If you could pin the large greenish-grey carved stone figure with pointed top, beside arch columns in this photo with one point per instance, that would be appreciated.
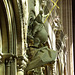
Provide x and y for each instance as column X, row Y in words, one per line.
column 39, row 53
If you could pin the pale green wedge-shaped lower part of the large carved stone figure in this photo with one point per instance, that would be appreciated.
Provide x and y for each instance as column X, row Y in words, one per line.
column 42, row 56
